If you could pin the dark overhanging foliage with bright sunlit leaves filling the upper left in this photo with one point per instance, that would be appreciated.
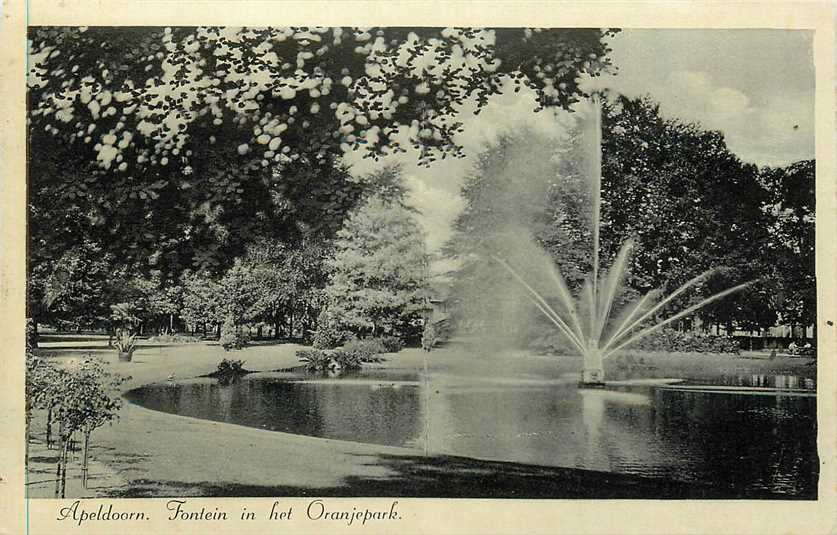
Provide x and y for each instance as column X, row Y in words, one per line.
column 210, row 136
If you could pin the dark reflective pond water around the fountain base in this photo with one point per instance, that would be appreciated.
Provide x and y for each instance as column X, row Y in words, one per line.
column 744, row 442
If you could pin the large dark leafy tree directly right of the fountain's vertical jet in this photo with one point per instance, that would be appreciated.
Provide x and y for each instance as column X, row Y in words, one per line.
column 689, row 203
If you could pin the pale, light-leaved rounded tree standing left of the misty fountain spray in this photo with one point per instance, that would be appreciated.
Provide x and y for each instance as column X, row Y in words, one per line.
column 379, row 271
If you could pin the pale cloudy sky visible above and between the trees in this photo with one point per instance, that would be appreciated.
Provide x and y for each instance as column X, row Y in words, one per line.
column 755, row 86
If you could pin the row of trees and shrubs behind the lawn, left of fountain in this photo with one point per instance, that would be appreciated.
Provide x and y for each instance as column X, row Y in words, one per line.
column 371, row 274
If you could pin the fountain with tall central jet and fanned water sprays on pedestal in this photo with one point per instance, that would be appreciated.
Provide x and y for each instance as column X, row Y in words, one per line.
column 590, row 333
